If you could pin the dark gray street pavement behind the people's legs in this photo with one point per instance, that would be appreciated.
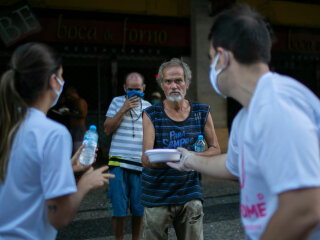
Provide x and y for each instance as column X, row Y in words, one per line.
column 221, row 219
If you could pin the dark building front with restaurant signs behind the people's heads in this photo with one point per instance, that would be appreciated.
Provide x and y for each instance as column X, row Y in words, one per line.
column 101, row 41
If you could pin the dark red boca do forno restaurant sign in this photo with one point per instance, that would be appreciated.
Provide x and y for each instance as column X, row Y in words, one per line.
column 122, row 33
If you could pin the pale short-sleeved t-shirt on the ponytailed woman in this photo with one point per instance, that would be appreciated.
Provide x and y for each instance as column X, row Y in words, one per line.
column 39, row 169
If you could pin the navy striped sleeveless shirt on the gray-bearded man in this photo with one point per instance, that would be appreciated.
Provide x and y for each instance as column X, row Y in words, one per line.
column 165, row 186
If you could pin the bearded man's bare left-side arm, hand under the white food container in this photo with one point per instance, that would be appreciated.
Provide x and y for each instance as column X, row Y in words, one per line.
column 148, row 143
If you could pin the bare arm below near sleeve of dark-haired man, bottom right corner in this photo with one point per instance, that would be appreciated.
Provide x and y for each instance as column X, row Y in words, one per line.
column 297, row 215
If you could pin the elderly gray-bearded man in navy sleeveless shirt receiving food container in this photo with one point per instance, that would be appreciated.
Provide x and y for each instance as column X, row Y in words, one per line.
column 170, row 196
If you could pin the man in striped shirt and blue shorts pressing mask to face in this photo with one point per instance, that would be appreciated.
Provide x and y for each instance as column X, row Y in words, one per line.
column 124, row 121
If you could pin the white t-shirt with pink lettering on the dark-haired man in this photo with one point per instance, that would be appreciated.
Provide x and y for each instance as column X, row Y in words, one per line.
column 274, row 147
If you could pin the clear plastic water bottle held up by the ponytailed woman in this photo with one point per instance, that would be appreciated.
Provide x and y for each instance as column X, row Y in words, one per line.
column 91, row 141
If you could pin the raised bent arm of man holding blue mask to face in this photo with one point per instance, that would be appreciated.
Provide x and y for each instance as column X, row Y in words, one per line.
column 112, row 124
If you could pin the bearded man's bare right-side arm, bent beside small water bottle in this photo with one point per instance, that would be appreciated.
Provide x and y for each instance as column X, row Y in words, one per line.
column 211, row 139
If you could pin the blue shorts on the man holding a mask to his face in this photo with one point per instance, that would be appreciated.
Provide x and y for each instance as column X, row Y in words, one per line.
column 124, row 187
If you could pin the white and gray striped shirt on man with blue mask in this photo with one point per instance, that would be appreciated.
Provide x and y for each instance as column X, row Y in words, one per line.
column 126, row 144
